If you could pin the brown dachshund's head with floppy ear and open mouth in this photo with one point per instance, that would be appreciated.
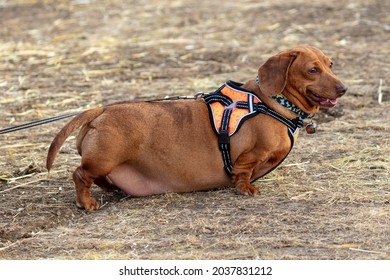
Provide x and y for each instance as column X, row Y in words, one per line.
column 304, row 75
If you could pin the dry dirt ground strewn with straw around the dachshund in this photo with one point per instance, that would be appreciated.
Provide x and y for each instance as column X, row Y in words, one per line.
column 329, row 200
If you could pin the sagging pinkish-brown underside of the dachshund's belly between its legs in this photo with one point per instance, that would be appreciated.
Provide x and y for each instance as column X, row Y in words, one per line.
column 136, row 183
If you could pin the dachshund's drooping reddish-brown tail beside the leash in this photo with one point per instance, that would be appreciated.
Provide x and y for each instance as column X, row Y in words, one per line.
column 75, row 123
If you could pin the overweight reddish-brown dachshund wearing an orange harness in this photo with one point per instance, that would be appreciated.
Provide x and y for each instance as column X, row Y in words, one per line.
column 230, row 137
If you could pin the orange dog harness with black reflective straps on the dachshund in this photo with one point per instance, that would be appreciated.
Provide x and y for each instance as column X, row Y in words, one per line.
column 229, row 107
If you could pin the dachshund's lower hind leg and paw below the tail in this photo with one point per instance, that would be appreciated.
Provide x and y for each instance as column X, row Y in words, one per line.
column 83, row 183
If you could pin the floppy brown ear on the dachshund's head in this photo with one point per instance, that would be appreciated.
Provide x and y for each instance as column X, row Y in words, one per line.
column 274, row 72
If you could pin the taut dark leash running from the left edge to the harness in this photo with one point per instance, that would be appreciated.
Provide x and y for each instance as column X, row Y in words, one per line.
column 57, row 118
